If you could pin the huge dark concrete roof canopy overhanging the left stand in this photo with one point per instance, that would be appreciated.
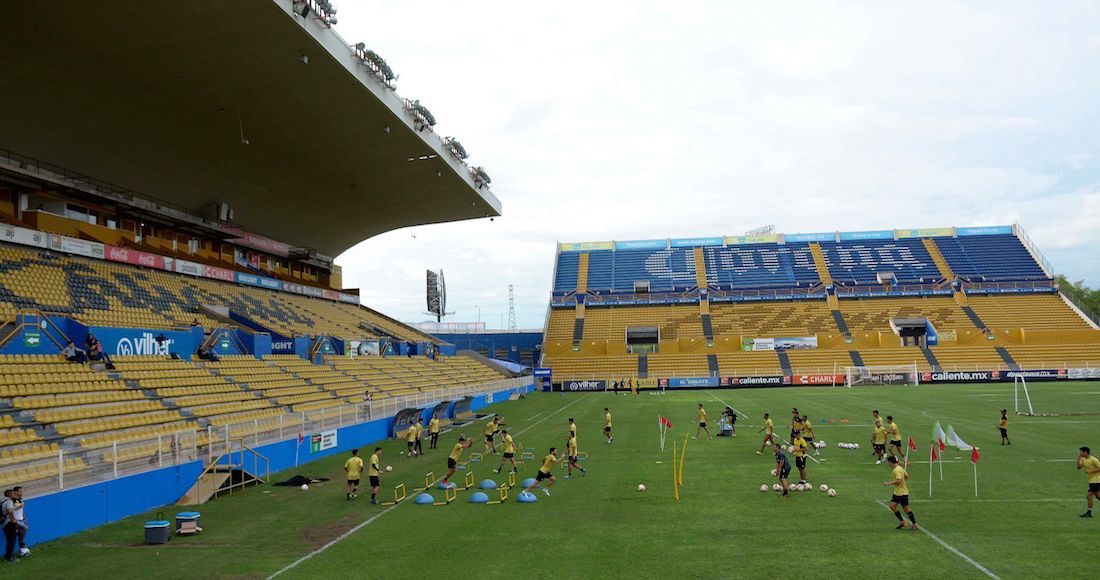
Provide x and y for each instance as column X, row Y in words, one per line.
column 195, row 103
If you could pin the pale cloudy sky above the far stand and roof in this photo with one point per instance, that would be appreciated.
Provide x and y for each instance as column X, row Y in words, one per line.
column 644, row 121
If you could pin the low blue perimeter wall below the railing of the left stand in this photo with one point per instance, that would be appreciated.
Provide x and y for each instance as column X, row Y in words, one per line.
column 73, row 511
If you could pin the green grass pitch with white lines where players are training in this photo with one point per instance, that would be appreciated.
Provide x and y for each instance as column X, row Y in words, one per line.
column 1025, row 526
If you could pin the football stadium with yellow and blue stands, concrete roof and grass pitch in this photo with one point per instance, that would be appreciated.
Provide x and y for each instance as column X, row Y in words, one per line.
column 190, row 388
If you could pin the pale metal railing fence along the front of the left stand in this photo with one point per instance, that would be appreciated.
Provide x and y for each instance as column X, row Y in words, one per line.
column 109, row 459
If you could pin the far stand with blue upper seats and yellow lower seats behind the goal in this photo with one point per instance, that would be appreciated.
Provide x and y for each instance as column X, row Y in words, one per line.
column 985, row 296
